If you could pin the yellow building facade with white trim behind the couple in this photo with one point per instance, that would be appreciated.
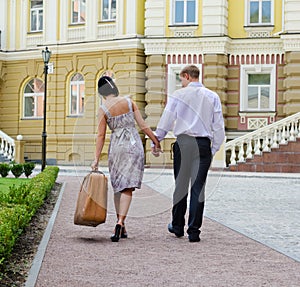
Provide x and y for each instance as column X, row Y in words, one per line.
column 248, row 51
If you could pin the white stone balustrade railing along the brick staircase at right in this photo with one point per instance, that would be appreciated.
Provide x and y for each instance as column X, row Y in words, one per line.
column 263, row 139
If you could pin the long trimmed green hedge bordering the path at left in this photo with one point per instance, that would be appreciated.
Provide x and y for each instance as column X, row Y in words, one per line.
column 19, row 205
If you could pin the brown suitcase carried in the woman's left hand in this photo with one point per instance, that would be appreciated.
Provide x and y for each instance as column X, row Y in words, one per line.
column 91, row 207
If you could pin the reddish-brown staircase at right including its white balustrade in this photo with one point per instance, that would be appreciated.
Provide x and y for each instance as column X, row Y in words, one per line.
column 274, row 148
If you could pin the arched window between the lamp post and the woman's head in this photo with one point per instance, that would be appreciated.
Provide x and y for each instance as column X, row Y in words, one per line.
column 77, row 95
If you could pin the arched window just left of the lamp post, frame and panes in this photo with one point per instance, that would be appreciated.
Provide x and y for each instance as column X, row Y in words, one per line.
column 33, row 99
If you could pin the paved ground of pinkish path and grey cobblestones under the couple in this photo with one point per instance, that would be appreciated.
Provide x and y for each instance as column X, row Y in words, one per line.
column 250, row 236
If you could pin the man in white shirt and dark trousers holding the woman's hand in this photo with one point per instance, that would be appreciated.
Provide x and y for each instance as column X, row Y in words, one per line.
column 195, row 115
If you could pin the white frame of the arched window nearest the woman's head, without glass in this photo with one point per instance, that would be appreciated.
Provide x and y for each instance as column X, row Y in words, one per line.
column 78, row 84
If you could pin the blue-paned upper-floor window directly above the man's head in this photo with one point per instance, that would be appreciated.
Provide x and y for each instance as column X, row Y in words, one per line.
column 184, row 12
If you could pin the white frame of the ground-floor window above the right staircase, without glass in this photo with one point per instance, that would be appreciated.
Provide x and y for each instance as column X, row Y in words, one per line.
column 257, row 69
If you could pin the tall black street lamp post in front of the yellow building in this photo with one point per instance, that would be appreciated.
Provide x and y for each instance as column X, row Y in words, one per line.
column 46, row 57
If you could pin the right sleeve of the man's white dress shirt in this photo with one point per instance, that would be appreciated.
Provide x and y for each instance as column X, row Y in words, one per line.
column 217, row 126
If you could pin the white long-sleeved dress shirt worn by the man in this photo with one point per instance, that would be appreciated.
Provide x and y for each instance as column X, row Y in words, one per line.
column 195, row 111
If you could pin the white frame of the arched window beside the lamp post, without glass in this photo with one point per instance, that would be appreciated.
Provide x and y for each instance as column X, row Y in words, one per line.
column 36, row 96
